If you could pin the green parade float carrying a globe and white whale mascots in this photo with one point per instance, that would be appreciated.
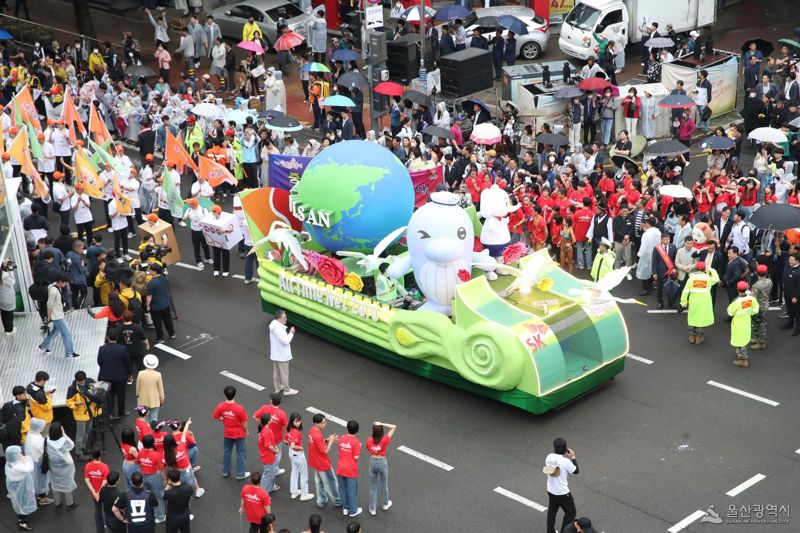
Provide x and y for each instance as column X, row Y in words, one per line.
column 347, row 256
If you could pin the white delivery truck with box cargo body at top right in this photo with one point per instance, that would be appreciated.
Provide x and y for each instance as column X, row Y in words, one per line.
column 621, row 21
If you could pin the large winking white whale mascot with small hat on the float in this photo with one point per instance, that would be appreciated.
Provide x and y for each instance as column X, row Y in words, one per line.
column 440, row 241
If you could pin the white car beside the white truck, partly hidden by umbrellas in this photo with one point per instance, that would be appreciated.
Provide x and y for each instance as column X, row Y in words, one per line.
column 529, row 46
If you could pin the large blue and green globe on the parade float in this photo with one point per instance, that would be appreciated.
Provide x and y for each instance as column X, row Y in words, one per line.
column 352, row 195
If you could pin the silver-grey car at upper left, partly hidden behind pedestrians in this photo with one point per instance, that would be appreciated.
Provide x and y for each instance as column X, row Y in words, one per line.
column 266, row 13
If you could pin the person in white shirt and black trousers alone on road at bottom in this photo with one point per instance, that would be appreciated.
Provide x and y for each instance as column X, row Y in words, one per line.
column 558, row 465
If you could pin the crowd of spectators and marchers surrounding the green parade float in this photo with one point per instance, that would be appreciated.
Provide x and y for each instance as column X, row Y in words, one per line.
column 589, row 214
